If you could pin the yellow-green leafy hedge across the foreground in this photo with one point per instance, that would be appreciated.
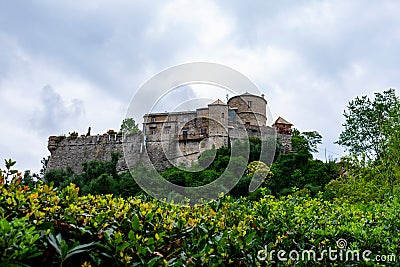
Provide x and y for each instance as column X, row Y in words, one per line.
column 48, row 227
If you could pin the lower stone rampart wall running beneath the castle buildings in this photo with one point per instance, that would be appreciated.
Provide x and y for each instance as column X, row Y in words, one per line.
column 73, row 151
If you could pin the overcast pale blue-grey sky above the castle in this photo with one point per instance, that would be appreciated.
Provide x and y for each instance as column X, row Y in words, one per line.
column 68, row 65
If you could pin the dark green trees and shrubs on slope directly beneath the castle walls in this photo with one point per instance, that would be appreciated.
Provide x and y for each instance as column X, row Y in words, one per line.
column 295, row 169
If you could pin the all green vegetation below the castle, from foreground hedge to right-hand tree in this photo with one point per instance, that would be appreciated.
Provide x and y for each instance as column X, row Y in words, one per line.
column 101, row 217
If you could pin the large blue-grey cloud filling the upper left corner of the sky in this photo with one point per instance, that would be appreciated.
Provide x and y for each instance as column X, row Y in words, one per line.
column 103, row 43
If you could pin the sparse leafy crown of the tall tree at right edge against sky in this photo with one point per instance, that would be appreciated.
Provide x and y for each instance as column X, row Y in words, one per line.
column 370, row 123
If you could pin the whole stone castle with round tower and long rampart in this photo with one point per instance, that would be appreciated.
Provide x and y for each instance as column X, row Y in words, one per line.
column 174, row 137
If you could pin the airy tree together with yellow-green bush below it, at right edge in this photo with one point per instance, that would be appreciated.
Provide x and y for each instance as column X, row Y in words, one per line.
column 372, row 135
